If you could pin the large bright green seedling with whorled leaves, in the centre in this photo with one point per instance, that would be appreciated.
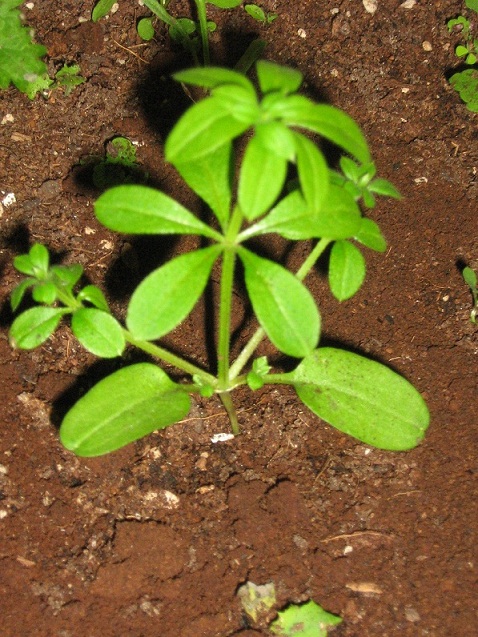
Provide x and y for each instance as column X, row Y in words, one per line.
column 358, row 396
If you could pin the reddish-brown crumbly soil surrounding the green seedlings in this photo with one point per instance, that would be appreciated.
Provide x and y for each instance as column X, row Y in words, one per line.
column 155, row 540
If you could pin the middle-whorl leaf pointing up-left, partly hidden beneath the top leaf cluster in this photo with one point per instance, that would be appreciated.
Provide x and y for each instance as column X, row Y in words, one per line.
column 210, row 177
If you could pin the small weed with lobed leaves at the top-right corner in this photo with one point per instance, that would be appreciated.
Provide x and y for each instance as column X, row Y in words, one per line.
column 466, row 81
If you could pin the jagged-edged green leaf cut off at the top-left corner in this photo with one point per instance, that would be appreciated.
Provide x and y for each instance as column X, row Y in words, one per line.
column 20, row 58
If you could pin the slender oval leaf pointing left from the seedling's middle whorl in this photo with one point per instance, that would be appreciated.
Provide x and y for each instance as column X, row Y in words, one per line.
column 142, row 210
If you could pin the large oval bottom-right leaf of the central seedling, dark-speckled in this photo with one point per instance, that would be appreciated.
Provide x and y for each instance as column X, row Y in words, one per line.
column 362, row 398
